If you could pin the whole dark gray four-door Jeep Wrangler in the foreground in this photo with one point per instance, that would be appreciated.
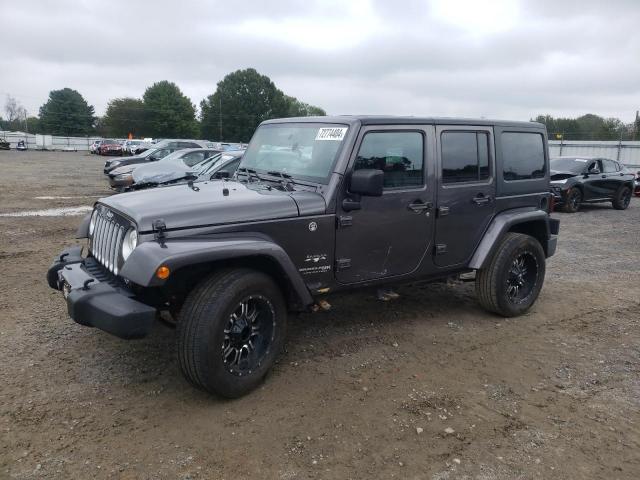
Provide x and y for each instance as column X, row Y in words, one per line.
column 318, row 205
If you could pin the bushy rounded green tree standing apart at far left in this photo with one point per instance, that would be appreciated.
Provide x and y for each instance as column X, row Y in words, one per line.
column 66, row 113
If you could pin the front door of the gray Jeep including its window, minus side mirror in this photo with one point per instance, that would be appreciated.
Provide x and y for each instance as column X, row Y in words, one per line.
column 389, row 235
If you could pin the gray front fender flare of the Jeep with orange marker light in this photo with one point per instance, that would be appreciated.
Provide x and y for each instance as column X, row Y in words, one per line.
column 141, row 266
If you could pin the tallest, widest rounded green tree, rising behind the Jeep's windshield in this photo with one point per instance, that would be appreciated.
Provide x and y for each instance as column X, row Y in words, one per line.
column 242, row 100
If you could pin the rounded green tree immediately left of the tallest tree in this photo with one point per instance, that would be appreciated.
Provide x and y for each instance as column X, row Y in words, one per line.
column 168, row 112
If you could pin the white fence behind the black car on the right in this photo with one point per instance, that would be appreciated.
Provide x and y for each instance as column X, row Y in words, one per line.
column 626, row 152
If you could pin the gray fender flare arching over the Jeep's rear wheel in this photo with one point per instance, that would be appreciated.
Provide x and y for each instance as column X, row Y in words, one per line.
column 501, row 224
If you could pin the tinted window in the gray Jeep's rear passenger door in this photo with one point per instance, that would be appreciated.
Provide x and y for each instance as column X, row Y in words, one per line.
column 465, row 156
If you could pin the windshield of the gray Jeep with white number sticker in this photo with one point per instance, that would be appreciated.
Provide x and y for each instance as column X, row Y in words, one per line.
column 303, row 150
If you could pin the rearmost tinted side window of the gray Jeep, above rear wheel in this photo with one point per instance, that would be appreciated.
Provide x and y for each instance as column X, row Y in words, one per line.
column 523, row 156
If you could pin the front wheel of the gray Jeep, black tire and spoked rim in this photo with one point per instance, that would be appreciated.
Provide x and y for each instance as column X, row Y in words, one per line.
column 204, row 332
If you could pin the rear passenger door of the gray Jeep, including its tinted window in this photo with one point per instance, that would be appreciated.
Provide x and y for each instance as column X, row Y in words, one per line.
column 466, row 191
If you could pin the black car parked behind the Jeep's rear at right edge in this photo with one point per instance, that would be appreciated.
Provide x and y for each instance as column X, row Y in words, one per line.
column 577, row 180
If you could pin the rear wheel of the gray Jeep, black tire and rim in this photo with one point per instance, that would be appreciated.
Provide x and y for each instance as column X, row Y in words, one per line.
column 511, row 283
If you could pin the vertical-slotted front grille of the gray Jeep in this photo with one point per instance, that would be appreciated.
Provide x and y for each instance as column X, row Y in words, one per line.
column 106, row 241
